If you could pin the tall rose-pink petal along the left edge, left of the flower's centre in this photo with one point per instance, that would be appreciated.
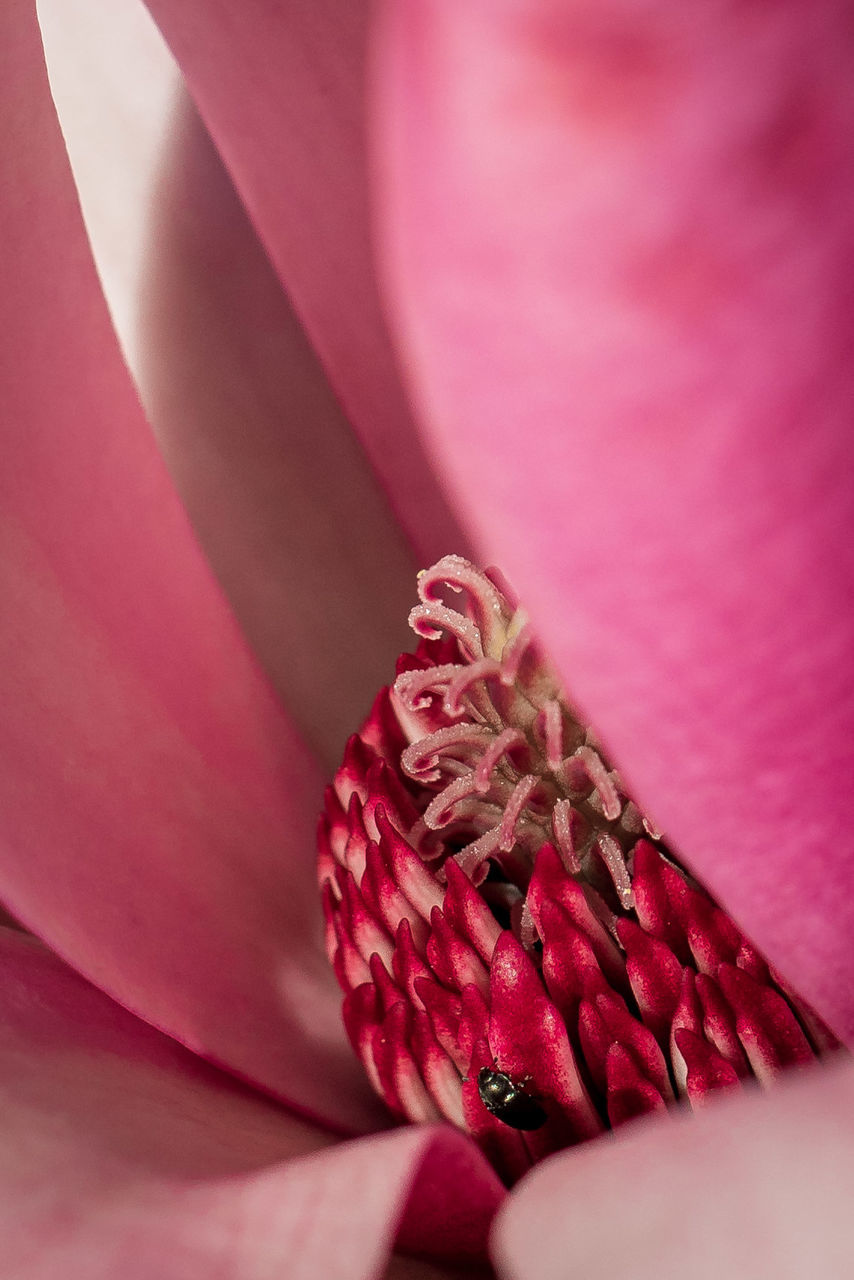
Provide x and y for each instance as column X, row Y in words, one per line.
column 157, row 808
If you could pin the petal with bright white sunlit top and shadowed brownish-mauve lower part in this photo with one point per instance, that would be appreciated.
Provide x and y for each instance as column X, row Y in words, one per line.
column 286, row 506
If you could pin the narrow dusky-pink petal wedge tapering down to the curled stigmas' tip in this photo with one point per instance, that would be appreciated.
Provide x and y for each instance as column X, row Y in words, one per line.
column 281, row 89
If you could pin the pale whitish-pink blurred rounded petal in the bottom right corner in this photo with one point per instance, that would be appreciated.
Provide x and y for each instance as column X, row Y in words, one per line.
column 716, row 1195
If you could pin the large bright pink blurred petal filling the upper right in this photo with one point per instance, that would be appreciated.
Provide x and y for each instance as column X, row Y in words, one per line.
column 619, row 245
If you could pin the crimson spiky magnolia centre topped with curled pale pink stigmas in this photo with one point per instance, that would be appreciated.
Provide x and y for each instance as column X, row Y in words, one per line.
column 495, row 900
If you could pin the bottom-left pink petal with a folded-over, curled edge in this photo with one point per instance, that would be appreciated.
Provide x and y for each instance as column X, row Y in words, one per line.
column 125, row 1156
